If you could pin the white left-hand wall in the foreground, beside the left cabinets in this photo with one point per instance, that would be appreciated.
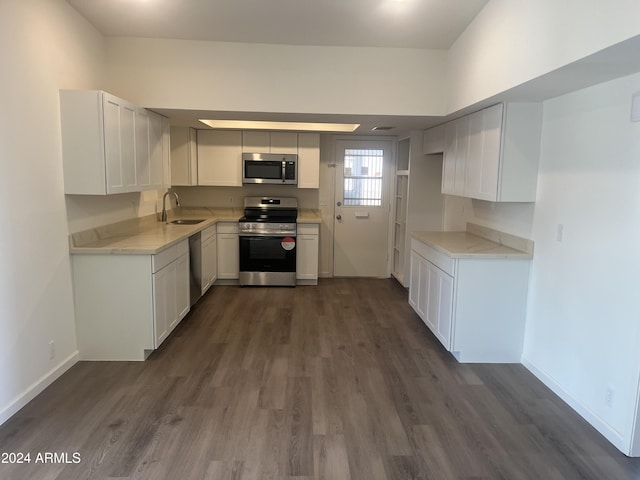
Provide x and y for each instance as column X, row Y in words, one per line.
column 44, row 46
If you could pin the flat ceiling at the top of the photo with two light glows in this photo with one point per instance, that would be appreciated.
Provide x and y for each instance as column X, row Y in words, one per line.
column 365, row 23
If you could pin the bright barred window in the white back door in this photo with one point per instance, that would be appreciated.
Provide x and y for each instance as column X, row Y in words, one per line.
column 363, row 177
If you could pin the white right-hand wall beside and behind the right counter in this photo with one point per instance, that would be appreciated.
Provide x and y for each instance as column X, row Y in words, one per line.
column 583, row 321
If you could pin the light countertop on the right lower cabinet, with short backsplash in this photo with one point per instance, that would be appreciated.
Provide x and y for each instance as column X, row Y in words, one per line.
column 477, row 242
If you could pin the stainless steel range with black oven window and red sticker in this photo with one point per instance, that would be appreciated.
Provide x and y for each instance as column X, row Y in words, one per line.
column 268, row 241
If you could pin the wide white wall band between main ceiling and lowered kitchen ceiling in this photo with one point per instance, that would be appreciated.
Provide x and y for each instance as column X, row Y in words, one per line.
column 277, row 78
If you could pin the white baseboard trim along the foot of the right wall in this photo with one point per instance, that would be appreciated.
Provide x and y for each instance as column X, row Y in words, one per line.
column 585, row 412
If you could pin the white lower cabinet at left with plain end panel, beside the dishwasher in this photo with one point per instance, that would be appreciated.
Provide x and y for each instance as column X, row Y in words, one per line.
column 127, row 305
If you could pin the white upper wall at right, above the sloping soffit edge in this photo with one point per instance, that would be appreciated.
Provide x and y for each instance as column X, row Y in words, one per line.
column 511, row 42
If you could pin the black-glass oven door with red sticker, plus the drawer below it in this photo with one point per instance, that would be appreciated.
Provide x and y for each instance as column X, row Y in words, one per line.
column 267, row 260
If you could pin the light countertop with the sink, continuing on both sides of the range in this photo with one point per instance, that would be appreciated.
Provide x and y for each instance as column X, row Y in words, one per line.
column 147, row 235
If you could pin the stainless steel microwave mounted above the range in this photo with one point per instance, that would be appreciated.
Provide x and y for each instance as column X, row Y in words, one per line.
column 274, row 168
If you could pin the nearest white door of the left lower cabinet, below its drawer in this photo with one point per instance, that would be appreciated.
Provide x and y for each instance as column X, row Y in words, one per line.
column 164, row 302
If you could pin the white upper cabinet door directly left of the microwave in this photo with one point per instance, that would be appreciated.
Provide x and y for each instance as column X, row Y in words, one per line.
column 220, row 158
